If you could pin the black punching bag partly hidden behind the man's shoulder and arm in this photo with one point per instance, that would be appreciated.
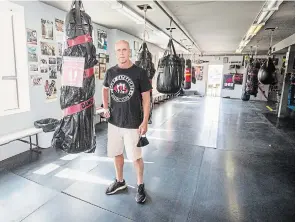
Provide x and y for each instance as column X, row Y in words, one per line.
column 144, row 61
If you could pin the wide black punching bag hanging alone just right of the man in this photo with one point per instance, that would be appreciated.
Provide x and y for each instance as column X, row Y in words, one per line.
column 168, row 71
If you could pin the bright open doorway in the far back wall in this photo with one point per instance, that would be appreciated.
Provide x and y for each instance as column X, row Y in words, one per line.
column 214, row 80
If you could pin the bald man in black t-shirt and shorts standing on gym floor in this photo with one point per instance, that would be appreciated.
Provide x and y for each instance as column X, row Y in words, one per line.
column 129, row 88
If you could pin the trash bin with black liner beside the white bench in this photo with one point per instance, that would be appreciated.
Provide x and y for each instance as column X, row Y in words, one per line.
column 48, row 126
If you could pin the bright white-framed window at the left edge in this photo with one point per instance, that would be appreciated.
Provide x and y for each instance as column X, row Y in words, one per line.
column 14, row 82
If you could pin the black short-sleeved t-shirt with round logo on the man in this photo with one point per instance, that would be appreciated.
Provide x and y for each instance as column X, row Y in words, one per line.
column 126, row 86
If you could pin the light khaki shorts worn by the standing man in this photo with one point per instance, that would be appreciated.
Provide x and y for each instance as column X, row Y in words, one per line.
column 120, row 138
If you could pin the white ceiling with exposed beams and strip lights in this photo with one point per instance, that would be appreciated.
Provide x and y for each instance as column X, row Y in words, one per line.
column 216, row 26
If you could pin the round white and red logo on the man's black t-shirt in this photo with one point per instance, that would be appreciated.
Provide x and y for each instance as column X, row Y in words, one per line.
column 122, row 88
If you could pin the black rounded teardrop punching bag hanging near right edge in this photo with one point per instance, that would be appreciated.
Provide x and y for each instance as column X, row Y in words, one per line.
column 266, row 72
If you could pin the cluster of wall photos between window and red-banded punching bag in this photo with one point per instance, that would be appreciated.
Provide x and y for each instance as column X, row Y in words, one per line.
column 45, row 55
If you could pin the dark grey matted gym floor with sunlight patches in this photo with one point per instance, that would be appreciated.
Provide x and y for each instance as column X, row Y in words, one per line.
column 208, row 160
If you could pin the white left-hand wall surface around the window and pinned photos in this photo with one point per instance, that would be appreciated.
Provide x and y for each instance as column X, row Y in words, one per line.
column 34, row 11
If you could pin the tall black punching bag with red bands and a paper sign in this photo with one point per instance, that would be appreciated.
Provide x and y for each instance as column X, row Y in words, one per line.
column 76, row 132
